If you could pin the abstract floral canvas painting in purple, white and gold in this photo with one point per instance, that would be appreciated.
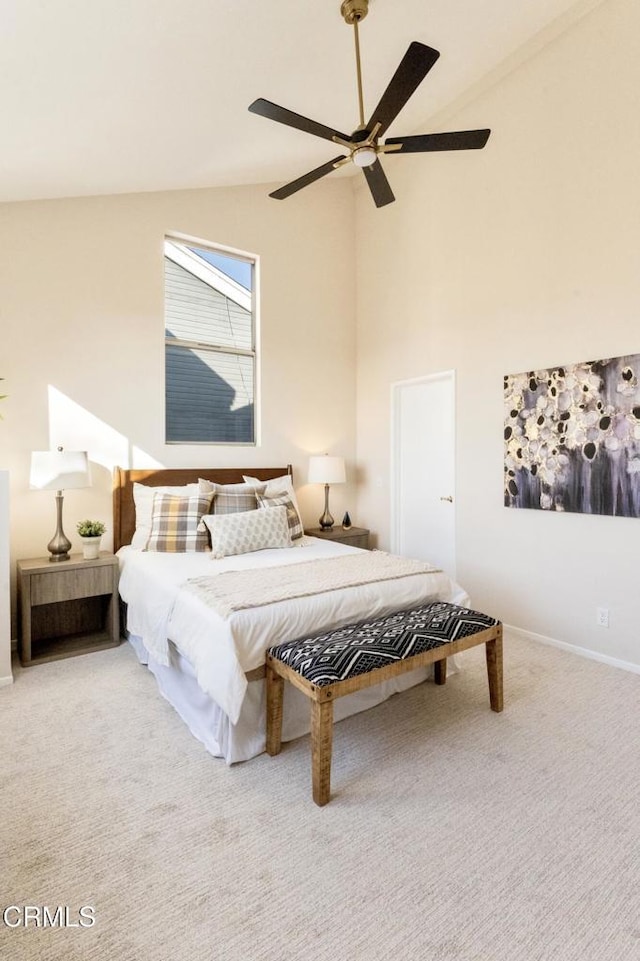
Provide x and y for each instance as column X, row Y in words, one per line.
column 572, row 438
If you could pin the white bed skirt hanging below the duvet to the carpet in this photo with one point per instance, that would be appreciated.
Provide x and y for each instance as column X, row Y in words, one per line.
column 246, row 739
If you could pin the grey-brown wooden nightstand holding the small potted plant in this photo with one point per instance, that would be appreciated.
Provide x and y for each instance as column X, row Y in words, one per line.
column 67, row 608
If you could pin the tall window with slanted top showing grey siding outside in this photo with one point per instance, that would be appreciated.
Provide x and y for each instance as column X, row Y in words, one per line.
column 210, row 345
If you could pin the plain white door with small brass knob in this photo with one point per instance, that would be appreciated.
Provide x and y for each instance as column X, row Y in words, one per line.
column 423, row 470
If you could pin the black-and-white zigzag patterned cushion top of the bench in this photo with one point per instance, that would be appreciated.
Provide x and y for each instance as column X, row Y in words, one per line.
column 355, row 649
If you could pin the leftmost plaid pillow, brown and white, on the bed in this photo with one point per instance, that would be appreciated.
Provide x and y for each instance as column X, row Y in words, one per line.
column 176, row 523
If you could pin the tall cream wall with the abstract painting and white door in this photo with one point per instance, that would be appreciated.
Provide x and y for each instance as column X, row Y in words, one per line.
column 524, row 255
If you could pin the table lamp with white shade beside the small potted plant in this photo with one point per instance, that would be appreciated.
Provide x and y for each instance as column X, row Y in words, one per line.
column 59, row 470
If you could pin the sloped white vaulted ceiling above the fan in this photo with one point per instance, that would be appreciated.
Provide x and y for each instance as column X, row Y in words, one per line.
column 100, row 97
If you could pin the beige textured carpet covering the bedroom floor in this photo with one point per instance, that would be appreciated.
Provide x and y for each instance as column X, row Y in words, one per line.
column 454, row 834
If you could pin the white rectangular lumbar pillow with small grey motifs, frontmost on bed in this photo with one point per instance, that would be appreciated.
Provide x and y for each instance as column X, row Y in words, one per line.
column 248, row 531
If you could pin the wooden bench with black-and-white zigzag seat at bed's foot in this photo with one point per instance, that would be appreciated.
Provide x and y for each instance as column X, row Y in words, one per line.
column 329, row 665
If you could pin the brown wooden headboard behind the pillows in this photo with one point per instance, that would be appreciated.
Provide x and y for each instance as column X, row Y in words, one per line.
column 124, row 512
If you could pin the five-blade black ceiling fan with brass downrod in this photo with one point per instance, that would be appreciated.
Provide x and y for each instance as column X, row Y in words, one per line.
column 363, row 144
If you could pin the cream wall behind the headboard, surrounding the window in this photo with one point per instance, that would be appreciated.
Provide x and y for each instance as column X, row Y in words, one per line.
column 81, row 315
